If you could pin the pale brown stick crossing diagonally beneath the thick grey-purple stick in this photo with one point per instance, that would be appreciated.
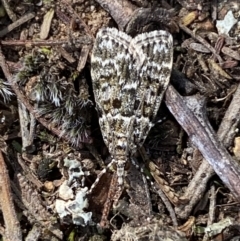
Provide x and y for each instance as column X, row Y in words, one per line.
column 226, row 134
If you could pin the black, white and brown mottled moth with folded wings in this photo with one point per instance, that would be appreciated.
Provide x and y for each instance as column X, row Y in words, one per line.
column 130, row 76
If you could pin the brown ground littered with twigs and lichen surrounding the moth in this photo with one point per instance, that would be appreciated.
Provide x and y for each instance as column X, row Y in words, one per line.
column 52, row 148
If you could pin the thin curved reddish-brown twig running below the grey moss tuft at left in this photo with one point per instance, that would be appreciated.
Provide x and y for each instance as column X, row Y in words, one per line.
column 24, row 101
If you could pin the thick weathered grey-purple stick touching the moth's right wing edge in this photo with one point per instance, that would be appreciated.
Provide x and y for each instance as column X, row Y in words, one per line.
column 202, row 136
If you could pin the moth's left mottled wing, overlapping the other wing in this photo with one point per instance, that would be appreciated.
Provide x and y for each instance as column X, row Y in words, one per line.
column 115, row 74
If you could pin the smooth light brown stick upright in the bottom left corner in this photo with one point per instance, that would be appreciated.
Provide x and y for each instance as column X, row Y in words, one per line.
column 12, row 226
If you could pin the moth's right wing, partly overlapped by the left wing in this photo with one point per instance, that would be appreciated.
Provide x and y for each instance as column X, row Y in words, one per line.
column 155, row 75
